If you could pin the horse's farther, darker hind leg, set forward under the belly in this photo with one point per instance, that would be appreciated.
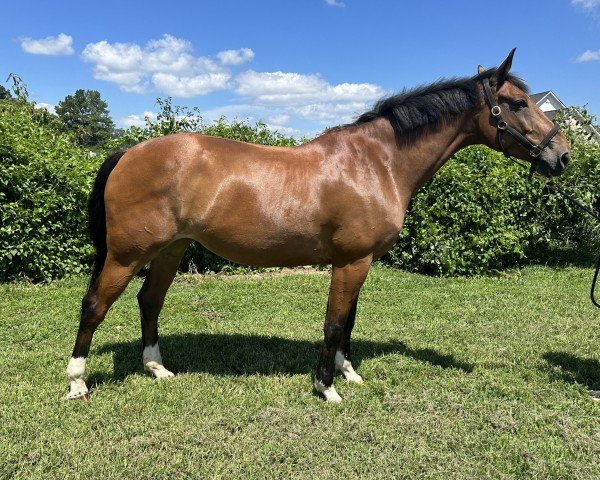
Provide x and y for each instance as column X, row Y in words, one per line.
column 151, row 299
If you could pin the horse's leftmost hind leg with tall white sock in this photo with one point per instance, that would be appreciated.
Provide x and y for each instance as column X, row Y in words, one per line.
column 102, row 294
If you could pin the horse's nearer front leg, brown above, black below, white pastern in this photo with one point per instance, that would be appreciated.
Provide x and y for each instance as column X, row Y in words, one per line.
column 346, row 281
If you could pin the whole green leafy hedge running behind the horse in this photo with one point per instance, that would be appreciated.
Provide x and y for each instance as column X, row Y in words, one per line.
column 480, row 214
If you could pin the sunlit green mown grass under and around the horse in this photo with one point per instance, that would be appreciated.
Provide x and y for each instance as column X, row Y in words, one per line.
column 464, row 378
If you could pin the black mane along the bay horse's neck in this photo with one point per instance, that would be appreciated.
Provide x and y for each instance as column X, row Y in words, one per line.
column 415, row 111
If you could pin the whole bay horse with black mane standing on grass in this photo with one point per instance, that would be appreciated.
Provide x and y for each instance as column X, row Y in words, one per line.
column 339, row 199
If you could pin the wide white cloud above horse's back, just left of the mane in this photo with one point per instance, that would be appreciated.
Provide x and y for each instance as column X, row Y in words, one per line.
column 307, row 96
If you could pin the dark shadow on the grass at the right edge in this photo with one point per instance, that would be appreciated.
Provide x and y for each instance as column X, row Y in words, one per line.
column 575, row 370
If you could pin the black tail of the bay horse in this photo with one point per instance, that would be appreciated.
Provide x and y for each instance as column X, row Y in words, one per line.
column 97, row 213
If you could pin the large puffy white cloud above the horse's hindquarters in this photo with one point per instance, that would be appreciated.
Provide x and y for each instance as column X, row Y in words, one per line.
column 166, row 65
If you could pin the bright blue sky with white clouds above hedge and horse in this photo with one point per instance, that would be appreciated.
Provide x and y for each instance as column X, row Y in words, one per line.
column 300, row 66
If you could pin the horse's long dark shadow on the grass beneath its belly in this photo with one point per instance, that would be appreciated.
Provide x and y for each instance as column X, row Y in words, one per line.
column 236, row 355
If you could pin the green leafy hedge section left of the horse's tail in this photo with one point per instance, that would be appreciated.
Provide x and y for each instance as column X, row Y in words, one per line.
column 44, row 183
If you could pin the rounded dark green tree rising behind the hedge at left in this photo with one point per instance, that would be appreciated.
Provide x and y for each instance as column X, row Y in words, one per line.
column 86, row 115
